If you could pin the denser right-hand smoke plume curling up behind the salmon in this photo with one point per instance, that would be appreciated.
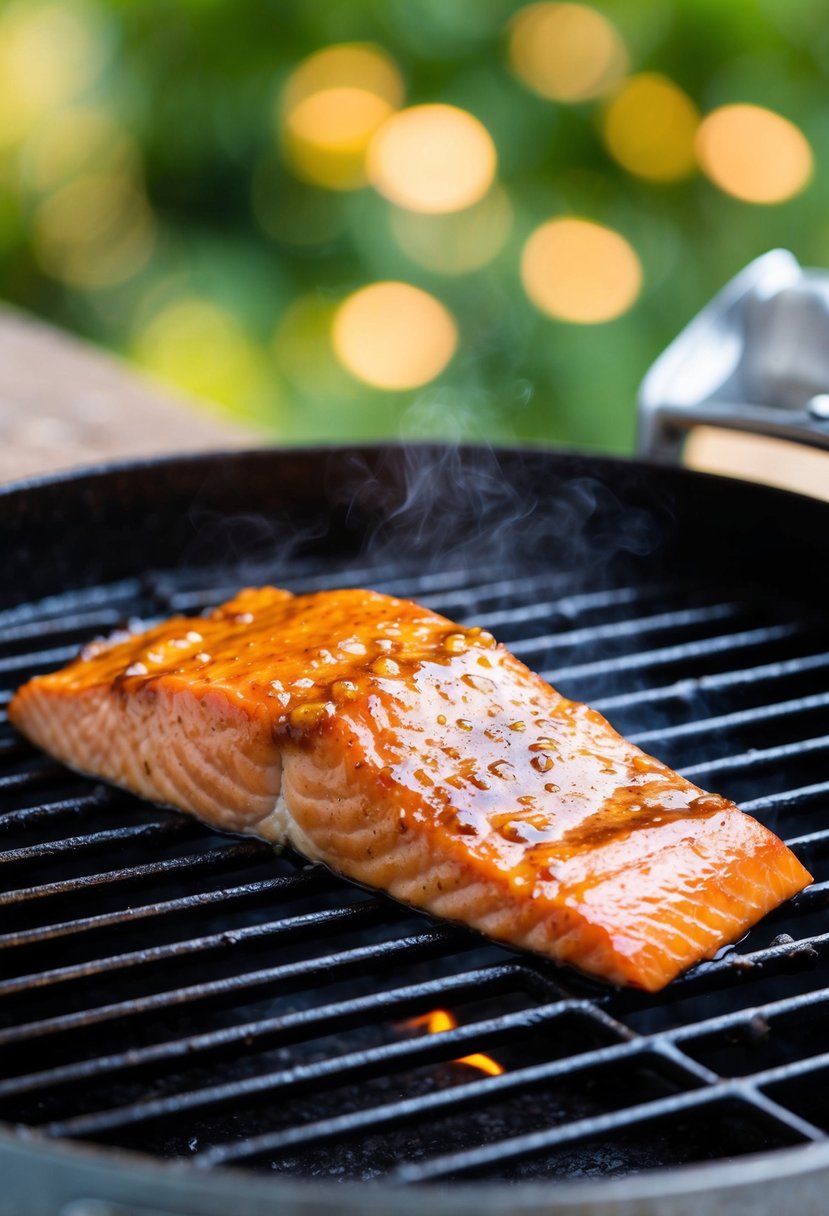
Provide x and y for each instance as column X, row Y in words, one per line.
column 504, row 509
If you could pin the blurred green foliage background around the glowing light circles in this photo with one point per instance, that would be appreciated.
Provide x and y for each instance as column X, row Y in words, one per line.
column 196, row 85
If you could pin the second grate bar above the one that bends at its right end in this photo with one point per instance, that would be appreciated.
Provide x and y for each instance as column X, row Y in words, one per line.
column 354, row 915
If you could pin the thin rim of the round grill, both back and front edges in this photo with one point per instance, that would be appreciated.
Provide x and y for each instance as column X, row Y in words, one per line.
column 69, row 1164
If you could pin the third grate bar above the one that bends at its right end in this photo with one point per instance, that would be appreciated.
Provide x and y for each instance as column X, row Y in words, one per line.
column 294, row 885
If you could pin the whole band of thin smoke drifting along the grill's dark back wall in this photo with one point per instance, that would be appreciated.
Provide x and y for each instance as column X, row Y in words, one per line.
column 432, row 514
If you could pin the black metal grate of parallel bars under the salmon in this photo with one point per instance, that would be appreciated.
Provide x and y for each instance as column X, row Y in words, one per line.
column 172, row 990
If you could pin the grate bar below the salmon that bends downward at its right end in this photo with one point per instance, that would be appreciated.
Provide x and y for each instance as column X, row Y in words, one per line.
column 268, row 1032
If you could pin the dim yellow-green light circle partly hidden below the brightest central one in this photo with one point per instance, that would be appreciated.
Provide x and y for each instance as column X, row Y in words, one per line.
column 460, row 243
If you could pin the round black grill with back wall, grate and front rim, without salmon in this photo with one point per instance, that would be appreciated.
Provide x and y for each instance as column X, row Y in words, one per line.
column 183, row 995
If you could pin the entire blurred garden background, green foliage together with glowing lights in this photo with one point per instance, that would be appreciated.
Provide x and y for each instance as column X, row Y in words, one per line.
column 200, row 193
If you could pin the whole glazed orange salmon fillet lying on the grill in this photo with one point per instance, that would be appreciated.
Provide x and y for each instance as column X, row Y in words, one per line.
column 421, row 758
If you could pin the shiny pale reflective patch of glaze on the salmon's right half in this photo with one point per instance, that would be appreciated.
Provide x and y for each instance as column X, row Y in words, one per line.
column 607, row 797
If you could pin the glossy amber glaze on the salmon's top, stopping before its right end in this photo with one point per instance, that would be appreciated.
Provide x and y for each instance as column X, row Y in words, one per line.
column 535, row 785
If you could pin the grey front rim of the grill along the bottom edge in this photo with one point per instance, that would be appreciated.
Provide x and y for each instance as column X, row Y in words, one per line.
column 71, row 1172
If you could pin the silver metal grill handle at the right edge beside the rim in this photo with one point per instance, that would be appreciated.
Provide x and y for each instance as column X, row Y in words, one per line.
column 755, row 359
